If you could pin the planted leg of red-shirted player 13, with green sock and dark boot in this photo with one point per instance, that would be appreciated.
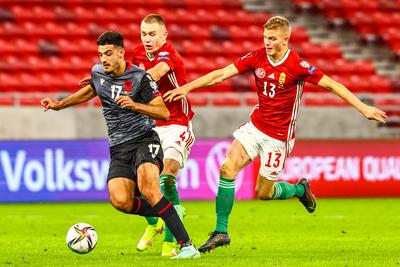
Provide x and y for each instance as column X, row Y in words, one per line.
column 236, row 159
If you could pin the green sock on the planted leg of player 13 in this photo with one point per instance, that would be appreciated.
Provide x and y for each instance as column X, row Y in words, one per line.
column 224, row 203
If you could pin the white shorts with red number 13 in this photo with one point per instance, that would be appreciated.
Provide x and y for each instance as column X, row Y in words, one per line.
column 272, row 151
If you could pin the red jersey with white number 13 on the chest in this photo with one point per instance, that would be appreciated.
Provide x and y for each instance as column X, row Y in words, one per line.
column 279, row 89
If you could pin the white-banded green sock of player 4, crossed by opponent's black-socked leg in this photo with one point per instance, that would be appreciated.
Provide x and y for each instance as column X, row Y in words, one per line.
column 168, row 188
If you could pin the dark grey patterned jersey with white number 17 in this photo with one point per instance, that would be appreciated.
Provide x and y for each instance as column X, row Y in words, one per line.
column 124, row 124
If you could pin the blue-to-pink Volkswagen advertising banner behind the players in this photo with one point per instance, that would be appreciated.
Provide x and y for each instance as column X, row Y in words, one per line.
column 47, row 171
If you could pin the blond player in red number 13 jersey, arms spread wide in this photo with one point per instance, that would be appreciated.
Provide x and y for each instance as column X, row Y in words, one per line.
column 280, row 75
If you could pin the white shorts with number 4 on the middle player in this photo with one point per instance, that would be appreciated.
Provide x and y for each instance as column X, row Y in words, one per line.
column 176, row 141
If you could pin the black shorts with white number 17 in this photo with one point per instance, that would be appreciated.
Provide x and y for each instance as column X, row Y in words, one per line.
column 128, row 156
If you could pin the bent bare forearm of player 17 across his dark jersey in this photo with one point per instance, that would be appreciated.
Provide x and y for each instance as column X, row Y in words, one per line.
column 155, row 109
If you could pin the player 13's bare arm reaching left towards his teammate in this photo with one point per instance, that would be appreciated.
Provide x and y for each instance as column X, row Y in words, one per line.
column 207, row 80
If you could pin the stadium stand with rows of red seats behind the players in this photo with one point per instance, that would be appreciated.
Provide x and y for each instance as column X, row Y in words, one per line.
column 48, row 46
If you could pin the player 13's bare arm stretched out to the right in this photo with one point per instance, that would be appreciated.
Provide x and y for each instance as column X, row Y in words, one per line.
column 340, row 90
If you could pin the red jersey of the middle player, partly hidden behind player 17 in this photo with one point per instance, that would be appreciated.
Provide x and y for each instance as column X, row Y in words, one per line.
column 180, row 111
